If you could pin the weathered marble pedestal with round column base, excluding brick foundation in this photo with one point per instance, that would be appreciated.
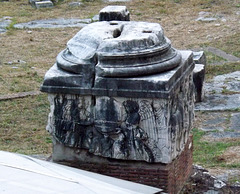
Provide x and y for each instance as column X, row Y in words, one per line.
column 121, row 91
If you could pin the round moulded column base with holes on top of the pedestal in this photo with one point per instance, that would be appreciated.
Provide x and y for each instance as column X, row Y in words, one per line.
column 120, row 49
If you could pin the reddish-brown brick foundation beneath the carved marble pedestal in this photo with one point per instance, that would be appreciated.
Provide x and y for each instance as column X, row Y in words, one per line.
column 169, row 177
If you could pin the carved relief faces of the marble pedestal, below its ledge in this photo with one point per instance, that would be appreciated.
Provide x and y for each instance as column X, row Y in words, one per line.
column 153, row 130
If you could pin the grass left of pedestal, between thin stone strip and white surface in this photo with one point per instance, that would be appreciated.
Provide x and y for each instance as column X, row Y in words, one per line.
column 22, row 125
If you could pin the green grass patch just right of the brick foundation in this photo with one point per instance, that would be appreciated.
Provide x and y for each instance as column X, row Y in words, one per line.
column 209, row 154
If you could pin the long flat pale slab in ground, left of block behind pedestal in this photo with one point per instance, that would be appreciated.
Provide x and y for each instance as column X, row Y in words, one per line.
column 54, row 23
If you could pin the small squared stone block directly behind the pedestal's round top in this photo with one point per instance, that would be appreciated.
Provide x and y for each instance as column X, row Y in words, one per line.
column 111, row 13
